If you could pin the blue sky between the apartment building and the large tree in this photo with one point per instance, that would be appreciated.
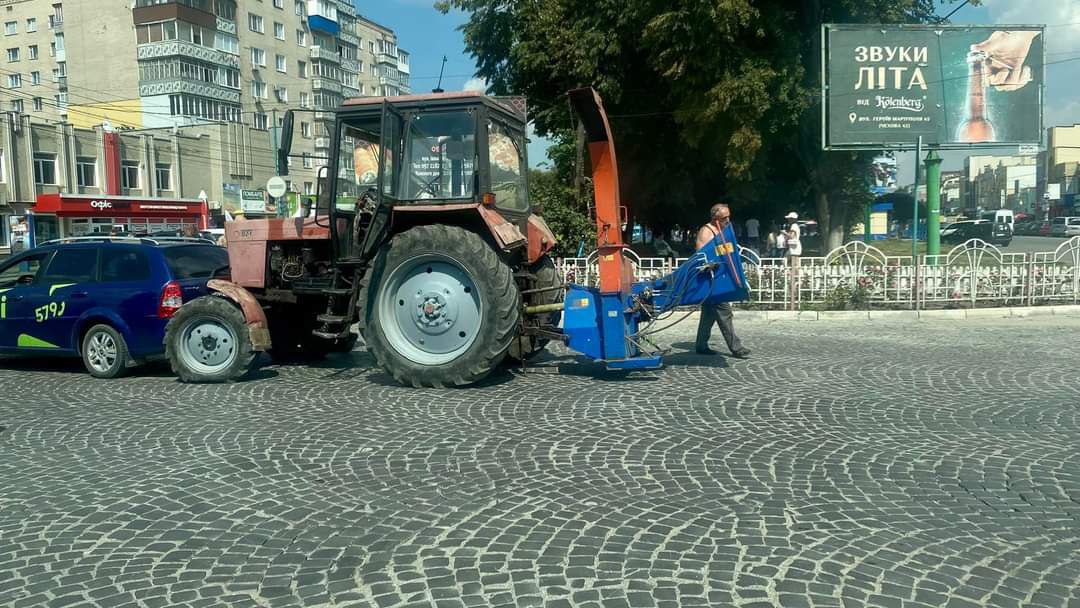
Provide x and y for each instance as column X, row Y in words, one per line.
column 428, row 36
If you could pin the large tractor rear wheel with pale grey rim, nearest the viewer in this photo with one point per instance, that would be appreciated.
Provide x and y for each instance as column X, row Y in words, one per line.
column 441, row 307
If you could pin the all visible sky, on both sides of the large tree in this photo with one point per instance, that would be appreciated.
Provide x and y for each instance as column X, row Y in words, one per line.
column 429, row 35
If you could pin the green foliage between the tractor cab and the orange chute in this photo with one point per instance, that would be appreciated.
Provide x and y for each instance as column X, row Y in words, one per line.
column 566, row 215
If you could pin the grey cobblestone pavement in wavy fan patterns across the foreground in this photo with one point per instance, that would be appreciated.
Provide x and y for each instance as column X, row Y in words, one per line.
column 845, row 465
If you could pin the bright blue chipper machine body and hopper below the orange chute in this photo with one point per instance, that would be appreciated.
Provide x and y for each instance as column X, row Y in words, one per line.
column 615, row 328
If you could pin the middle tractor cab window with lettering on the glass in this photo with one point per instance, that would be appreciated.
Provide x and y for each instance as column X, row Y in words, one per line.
column 442, row 156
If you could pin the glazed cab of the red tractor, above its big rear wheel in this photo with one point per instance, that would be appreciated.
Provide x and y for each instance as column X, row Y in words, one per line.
column 422, row 154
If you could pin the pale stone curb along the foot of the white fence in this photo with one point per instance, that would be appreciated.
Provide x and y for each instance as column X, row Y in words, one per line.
column 951, row 315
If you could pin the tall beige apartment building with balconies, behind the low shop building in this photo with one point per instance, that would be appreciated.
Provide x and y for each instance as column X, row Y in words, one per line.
column 154, row 64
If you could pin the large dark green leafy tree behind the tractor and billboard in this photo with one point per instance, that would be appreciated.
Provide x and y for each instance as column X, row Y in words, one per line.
column 709, row 100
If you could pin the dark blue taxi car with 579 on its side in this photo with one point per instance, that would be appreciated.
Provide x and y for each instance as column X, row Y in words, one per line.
column 105, row 300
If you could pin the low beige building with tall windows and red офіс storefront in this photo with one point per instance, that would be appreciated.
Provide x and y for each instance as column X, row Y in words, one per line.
column 58, row 180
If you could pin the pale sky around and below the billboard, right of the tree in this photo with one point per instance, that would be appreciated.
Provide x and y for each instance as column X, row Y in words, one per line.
column 1062, row 101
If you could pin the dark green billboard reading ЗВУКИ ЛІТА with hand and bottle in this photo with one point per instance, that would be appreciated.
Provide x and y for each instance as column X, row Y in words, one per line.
column 956, row 87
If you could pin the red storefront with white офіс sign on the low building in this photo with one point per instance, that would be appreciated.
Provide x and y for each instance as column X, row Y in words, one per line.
column 82, row 215
